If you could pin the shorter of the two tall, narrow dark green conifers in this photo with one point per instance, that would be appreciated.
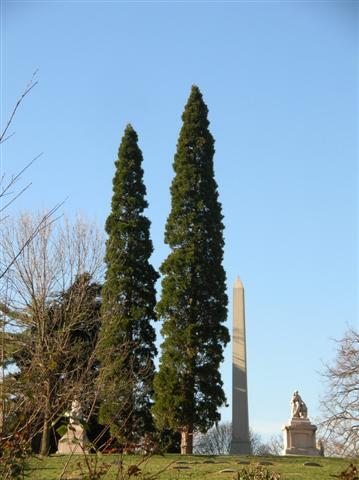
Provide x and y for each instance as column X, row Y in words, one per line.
column 126, row 347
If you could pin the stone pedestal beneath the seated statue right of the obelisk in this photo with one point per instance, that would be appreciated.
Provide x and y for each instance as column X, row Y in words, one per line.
column 299, row 438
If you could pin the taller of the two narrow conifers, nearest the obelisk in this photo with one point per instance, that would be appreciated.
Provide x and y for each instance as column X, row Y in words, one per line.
column 188, row 387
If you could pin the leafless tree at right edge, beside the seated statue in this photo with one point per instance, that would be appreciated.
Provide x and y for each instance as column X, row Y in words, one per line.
column 340, row 406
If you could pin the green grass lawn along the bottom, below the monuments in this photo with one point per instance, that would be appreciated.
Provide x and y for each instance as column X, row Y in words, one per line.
column 192, row 467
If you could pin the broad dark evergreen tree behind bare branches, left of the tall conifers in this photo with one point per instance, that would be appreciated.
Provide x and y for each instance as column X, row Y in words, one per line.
column 51, row 360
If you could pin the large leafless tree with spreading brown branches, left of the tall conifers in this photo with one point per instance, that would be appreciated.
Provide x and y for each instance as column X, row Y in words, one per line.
column 59, row 257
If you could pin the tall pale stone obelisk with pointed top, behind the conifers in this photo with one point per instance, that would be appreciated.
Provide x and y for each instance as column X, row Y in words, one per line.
column 240, row 424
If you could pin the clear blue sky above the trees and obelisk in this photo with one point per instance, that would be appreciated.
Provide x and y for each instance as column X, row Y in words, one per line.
column 281, row 83
